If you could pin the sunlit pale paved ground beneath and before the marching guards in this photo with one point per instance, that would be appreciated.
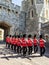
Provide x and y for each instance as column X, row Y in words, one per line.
column 7, row 57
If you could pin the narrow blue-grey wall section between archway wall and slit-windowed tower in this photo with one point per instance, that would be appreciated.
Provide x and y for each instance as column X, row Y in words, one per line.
column 22, row 22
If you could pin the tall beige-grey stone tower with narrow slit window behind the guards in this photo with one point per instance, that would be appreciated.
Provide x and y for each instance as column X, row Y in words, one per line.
column 31, row 17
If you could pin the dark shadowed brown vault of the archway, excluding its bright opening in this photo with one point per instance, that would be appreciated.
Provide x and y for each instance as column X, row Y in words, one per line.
column 6, row 27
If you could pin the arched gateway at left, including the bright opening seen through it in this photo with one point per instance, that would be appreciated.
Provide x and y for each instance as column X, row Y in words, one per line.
column 4, row 30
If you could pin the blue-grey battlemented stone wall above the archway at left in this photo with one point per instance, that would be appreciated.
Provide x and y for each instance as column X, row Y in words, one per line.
column 9, row 13
